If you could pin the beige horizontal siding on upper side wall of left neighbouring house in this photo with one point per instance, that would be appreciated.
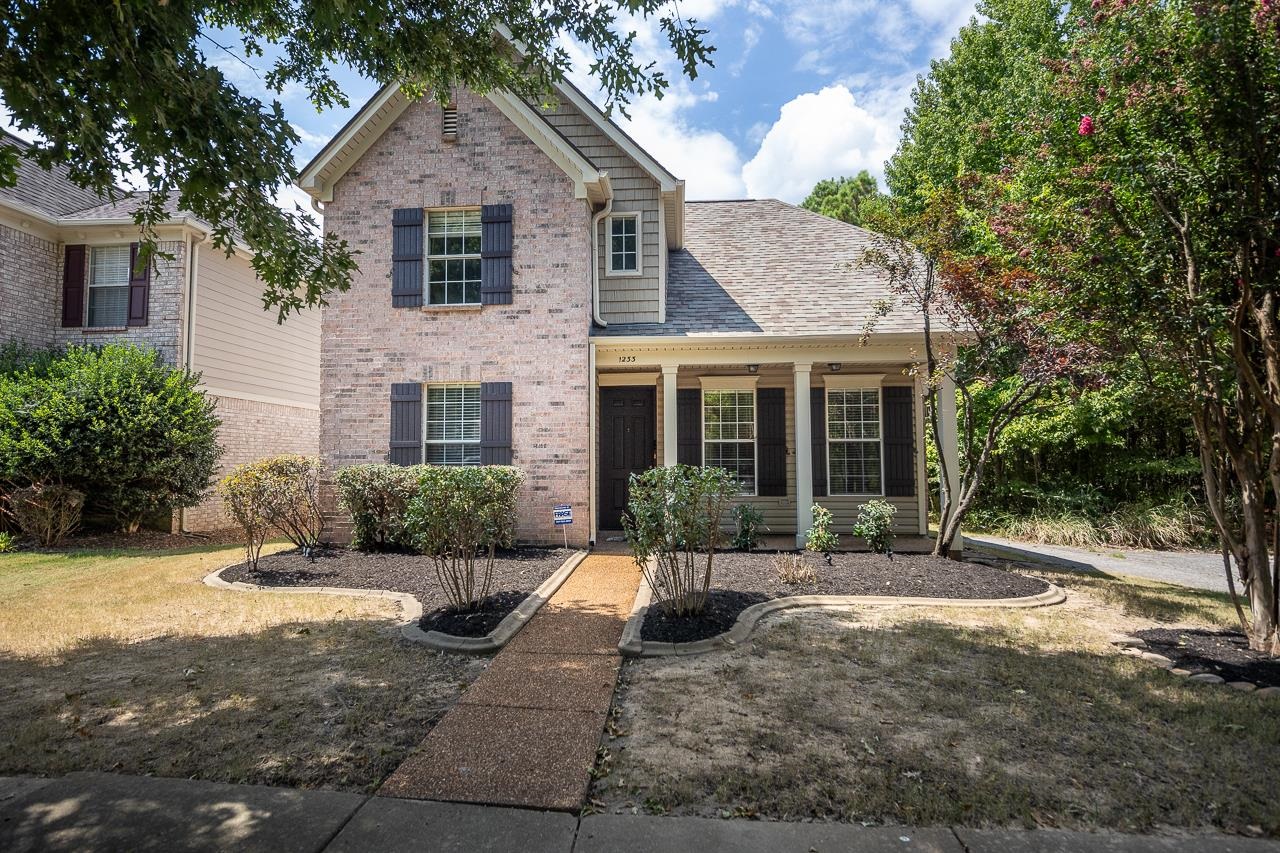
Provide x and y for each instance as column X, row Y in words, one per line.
column 240, row 349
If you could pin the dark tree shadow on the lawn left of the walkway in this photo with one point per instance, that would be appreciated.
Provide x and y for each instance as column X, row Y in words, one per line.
column 331, row 705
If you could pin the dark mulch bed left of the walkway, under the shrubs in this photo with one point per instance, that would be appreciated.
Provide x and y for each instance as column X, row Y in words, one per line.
column 516, row 573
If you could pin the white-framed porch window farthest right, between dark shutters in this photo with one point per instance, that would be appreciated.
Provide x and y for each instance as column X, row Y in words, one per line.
column 854, row 449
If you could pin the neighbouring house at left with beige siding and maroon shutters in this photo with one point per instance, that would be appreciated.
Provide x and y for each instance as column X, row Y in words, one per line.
column 66, row 277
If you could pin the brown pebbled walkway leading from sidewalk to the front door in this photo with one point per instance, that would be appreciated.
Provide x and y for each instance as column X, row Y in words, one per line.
column 525, row 733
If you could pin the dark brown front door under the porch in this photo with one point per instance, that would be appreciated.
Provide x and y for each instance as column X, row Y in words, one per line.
column 628, row 446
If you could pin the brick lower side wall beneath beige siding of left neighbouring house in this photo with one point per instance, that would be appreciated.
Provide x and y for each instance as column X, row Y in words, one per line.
column 252, row 431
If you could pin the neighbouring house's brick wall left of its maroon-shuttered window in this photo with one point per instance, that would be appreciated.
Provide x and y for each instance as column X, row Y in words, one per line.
column 30, row 290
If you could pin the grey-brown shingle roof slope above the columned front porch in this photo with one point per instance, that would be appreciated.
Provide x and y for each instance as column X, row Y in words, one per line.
column 765, row 267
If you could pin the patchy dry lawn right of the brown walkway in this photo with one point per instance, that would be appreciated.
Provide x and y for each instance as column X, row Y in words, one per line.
column 950, row 717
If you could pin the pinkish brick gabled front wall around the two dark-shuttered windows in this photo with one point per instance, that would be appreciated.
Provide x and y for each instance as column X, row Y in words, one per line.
column 540, row 344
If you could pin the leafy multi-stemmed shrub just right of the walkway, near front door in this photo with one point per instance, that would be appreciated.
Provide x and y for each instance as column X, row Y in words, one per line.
column 674, row 521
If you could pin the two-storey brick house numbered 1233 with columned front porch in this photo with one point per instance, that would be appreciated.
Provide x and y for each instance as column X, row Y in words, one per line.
column 536, row 290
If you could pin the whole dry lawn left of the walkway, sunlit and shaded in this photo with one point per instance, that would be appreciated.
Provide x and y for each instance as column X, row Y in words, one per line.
column 124, row 662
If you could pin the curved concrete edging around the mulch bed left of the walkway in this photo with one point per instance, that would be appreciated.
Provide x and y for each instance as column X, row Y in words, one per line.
column 412, row 609
